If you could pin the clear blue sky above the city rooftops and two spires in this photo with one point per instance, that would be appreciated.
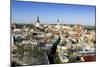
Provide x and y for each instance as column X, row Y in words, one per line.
column 27, row 12
